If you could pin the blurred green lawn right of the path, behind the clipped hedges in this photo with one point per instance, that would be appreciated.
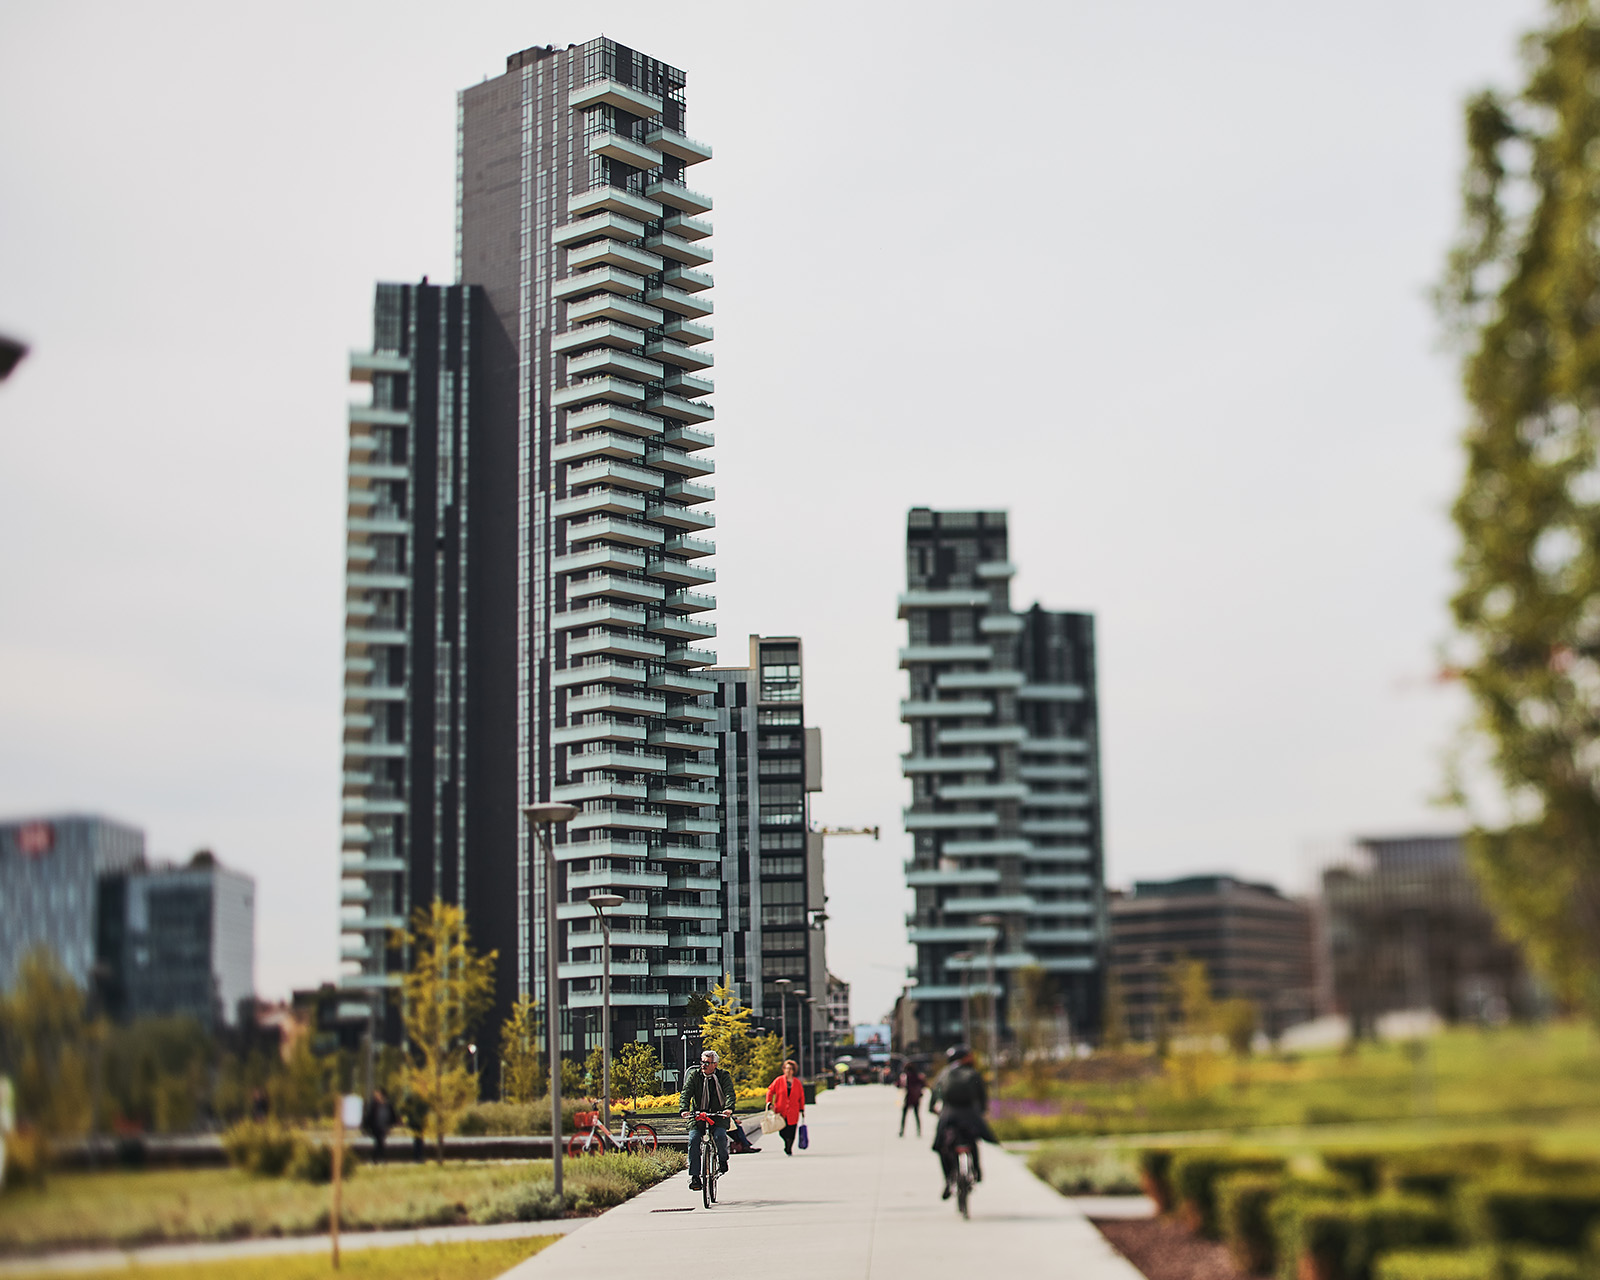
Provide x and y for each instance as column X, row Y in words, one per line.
column 1460, row 1079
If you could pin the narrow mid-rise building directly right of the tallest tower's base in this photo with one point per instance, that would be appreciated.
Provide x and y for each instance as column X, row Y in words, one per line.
column 774, row 911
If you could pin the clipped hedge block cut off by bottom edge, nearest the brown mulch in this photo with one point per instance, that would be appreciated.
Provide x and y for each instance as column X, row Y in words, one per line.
column 1340, row 1239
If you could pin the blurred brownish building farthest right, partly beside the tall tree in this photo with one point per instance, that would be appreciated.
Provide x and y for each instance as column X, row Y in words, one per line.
column 1407, row 929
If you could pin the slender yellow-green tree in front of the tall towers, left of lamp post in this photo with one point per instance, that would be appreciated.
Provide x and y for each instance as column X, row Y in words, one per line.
column 447, row 991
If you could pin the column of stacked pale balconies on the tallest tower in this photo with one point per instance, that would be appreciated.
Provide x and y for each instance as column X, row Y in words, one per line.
column 631, row 506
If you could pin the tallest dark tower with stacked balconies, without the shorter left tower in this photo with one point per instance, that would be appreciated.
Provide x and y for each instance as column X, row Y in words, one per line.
column 586, row 562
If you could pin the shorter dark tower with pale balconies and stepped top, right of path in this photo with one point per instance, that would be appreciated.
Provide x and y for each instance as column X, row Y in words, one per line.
column 1004, row 766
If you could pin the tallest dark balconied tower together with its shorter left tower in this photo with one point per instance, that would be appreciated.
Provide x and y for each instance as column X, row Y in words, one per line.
column 540, row 638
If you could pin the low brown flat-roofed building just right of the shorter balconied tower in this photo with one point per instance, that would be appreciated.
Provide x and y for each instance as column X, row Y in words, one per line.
column 1255, row 945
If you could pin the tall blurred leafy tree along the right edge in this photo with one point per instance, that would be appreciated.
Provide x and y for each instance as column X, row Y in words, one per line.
column 1522, row 292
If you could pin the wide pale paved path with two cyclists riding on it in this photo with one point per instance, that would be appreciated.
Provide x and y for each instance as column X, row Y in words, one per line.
column 862, row 1202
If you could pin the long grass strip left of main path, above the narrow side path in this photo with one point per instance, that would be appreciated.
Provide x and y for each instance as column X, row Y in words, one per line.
column 169, row 1206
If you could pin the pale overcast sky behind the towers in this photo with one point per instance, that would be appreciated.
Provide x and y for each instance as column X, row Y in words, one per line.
column 1148, row 276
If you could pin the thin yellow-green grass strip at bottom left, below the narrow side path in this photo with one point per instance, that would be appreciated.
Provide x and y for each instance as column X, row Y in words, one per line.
column 481, row 1260
